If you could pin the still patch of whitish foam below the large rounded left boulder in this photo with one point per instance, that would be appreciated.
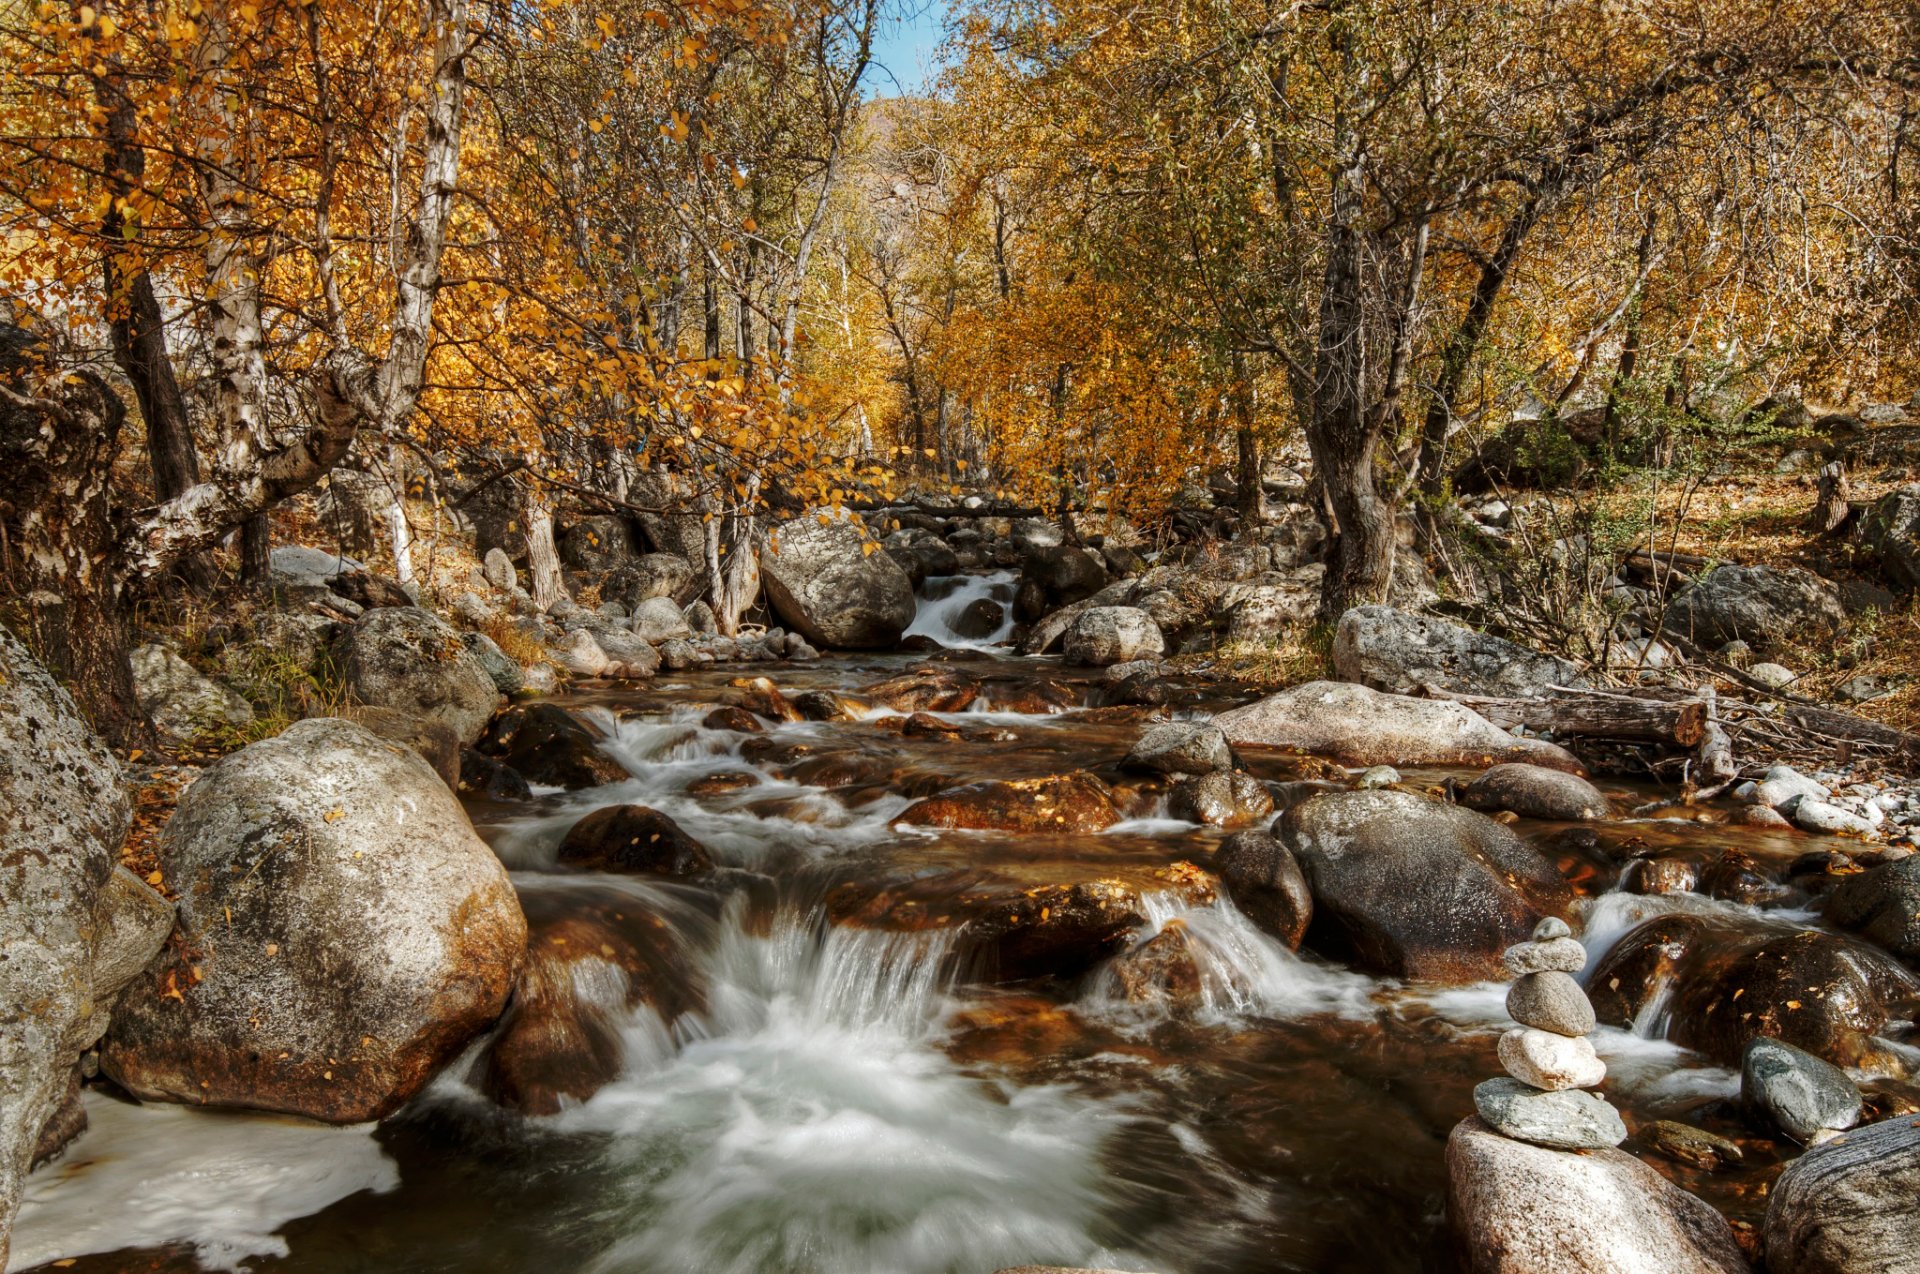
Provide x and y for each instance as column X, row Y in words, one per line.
column 224, row 1183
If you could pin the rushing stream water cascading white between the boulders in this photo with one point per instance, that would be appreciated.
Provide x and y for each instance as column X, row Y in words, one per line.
column 863, row 1100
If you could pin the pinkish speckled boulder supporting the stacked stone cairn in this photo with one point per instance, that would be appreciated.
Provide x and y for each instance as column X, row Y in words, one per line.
column 1527, row 1210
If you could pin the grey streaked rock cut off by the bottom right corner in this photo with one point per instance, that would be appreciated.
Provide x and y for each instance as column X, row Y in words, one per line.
column 1848, row 1206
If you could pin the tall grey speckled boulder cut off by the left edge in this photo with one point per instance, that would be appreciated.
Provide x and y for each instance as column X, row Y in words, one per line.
column 74, row 928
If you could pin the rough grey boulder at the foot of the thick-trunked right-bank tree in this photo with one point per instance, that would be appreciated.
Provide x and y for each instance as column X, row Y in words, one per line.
column 1403, row 653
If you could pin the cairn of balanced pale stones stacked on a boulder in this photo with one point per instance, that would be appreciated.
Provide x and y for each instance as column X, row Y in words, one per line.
column 1550, row 1062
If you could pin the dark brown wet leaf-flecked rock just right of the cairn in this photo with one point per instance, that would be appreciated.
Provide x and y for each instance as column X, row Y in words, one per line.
column 1727, row 985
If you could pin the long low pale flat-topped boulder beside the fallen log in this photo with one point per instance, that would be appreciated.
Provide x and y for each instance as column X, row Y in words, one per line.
column 1360, row 726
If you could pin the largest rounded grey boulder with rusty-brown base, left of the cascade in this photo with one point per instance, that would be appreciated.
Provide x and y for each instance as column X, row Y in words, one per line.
column 343, row 933
